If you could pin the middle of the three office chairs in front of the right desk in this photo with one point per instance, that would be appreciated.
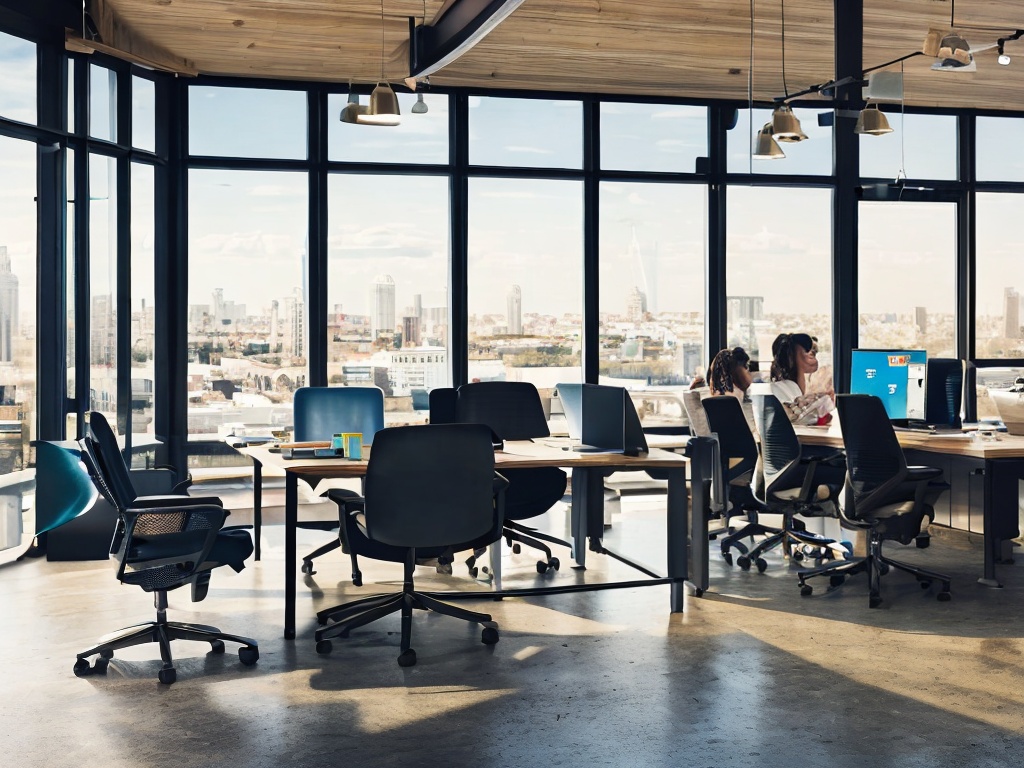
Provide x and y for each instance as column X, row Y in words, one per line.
column 788, row 486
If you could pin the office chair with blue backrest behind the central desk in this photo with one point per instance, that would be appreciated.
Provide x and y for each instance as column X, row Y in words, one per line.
column 320, row 413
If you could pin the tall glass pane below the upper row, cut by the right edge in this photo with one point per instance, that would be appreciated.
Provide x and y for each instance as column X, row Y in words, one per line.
column 1001, row 277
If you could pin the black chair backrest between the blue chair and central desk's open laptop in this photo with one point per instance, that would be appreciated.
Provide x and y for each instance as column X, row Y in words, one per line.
column 513, row 409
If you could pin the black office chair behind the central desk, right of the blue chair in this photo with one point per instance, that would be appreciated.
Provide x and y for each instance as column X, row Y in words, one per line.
column 514, row 411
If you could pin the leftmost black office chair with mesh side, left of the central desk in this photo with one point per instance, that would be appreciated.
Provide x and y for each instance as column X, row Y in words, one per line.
column 161, row 544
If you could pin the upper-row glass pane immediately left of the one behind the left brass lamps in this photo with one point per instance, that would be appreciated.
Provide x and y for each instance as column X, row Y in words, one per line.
column 247, row 123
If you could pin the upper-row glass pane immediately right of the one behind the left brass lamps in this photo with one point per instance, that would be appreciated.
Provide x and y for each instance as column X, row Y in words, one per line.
column 526, row 133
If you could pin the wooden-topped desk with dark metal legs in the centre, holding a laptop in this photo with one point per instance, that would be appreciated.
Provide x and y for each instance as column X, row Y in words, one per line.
column 587, row 510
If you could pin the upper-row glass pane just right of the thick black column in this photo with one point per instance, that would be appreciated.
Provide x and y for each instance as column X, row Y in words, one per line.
column 921, row 146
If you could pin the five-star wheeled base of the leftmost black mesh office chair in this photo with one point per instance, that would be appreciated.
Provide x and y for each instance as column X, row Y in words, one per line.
column 162, row 632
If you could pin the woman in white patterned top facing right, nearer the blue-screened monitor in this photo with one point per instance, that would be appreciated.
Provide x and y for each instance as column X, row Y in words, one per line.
column 795, row 357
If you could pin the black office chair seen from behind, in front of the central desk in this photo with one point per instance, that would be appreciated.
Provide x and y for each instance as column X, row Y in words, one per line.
column 428, row 488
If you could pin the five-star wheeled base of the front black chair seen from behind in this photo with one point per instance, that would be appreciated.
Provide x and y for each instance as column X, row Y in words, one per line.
column 344, row 619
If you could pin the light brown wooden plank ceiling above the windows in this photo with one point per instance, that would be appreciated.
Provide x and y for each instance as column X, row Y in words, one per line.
column 700, row 49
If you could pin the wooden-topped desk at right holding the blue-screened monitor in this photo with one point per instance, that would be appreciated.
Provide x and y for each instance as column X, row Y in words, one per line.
column 1002, row 463
